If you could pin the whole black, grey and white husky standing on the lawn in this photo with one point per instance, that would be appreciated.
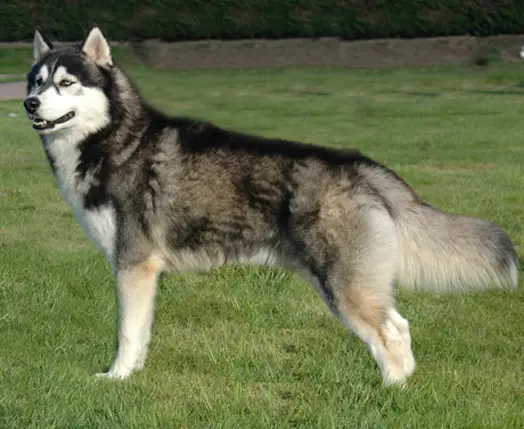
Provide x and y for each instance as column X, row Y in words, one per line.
column 159, row 193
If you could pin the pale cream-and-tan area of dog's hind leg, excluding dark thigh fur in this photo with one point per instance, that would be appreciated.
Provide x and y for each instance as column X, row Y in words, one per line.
column 363, row 286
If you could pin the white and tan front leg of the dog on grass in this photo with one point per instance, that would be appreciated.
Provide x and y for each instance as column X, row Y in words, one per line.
column 136, row 287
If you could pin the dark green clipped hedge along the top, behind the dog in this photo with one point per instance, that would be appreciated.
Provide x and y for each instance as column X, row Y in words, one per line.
column 172, row 20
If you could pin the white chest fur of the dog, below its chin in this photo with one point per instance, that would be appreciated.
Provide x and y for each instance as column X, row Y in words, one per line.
column 98, row 221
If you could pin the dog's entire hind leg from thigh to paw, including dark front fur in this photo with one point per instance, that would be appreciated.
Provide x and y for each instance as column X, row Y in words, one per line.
column 357, row 267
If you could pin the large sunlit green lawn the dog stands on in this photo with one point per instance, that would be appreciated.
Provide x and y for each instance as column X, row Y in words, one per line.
column 256, row 348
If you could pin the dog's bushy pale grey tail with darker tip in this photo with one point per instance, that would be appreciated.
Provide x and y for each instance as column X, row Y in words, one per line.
column 444, row 252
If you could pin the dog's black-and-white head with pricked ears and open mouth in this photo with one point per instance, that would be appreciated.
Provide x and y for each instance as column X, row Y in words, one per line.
column 67, row 86
